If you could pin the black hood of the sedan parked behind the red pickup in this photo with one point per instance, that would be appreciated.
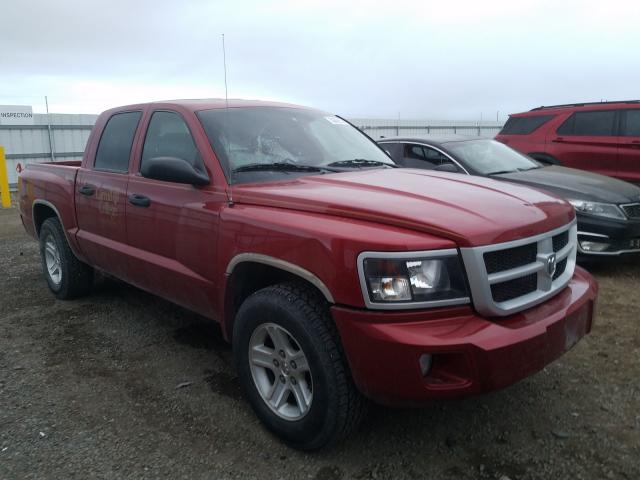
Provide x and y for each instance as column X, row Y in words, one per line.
column 577, row 184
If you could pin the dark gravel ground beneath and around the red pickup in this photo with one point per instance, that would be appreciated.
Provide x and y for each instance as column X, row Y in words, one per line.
column 122, row 384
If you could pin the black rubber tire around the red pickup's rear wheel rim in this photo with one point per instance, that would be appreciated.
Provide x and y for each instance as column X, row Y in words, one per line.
column 77, row 276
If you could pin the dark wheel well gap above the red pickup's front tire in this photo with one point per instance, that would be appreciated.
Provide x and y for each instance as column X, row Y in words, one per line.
column 246, row 279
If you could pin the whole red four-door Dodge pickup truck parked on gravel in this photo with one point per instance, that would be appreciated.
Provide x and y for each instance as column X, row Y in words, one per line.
column 335, row 275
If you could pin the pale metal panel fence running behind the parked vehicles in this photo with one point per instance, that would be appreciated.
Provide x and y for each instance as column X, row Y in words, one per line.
column 64, row 136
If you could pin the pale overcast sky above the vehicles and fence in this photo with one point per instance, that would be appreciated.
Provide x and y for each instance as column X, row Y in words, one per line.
column 422, row 59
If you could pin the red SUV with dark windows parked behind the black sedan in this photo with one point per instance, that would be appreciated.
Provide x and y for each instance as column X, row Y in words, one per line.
column 603, row 137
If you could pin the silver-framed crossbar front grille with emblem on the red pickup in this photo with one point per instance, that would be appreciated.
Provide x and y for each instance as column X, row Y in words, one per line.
column 512, row 276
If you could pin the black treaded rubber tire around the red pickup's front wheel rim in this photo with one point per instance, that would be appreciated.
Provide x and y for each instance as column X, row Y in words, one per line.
column 350, row 407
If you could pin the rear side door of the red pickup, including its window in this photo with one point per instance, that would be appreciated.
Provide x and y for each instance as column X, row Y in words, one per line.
column 101, row 195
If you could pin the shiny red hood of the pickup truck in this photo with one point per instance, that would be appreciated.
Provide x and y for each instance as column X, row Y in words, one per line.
column 468, row 210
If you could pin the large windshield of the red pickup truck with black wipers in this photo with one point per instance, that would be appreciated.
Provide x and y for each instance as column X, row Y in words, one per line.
column 265, row 143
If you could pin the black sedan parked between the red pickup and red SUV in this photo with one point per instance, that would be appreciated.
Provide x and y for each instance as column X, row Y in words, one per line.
column 608, row 209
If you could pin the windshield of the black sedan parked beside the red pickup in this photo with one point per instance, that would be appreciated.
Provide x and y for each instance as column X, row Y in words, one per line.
column 489, row 157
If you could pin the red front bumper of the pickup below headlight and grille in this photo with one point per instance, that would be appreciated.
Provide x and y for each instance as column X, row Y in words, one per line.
column 470, row 353
